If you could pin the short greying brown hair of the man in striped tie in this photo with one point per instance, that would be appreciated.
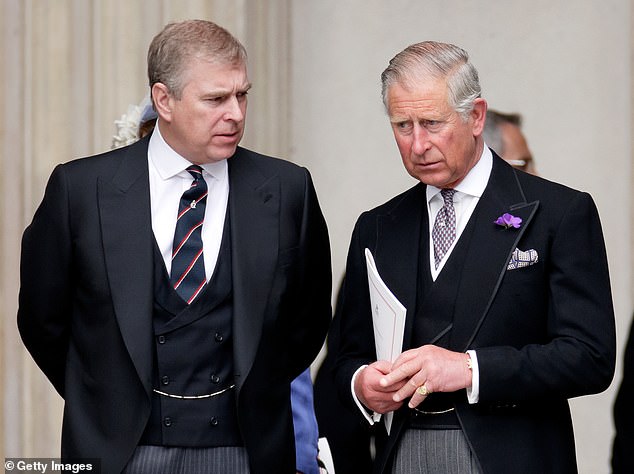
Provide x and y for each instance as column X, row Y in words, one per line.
column 178, row 43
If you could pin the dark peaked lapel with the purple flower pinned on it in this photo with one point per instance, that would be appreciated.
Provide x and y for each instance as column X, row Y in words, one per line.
column 490, row 249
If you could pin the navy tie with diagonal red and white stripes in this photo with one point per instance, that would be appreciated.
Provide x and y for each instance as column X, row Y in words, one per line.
column 188, row 266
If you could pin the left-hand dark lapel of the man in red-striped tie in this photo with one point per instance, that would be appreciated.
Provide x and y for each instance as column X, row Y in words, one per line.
column 126, row 225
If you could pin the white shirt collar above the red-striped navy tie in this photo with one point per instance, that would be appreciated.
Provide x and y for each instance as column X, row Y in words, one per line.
column 168, row 163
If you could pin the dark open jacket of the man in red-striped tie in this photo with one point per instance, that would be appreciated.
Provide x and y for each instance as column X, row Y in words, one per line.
column 86, row 299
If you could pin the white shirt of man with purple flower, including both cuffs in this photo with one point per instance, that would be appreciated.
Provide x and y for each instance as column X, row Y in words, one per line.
column 468, row 193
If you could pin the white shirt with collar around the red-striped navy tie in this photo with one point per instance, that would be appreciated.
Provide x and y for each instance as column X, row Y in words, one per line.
column 169, row 179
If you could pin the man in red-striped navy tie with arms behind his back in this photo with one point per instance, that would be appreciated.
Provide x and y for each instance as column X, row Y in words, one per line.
column 174, row 350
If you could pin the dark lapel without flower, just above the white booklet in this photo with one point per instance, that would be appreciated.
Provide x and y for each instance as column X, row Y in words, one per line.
column 397, row 250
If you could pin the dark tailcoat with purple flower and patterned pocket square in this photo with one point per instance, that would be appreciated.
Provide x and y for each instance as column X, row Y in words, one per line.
column 543, row 334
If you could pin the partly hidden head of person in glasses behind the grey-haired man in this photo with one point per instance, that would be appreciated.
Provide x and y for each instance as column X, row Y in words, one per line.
column 503, row 133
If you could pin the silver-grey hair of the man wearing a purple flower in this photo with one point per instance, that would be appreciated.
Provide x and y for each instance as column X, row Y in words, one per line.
column 440, row 61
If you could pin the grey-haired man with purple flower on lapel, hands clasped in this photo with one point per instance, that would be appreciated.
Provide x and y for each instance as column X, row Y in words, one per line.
column 504, row 277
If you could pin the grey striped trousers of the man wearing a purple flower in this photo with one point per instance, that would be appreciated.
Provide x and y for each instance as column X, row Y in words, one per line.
column 434, row 452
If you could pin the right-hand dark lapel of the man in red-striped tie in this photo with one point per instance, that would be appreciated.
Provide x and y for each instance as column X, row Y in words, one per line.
column 254, row 201
